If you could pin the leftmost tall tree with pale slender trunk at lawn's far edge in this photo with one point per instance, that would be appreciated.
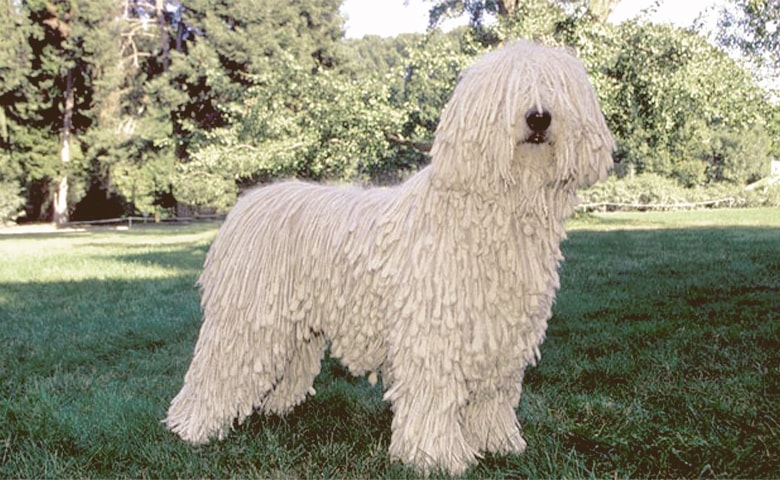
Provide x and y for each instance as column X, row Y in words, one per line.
column 53, row 106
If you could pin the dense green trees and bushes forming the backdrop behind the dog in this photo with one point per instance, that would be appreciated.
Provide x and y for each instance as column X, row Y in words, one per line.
column 142, row 106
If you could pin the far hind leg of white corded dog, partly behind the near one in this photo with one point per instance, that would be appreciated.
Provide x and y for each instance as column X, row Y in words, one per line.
column 297, row 375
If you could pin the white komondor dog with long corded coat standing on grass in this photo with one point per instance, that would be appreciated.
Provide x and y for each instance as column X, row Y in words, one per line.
column 444, row 283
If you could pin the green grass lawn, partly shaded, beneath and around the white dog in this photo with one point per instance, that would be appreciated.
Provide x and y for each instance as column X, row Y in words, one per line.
column 662, row 360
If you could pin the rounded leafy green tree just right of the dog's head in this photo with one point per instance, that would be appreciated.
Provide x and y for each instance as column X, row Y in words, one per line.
column 678, row 105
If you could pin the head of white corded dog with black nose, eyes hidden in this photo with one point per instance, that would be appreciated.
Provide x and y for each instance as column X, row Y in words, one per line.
column 522, row 118
